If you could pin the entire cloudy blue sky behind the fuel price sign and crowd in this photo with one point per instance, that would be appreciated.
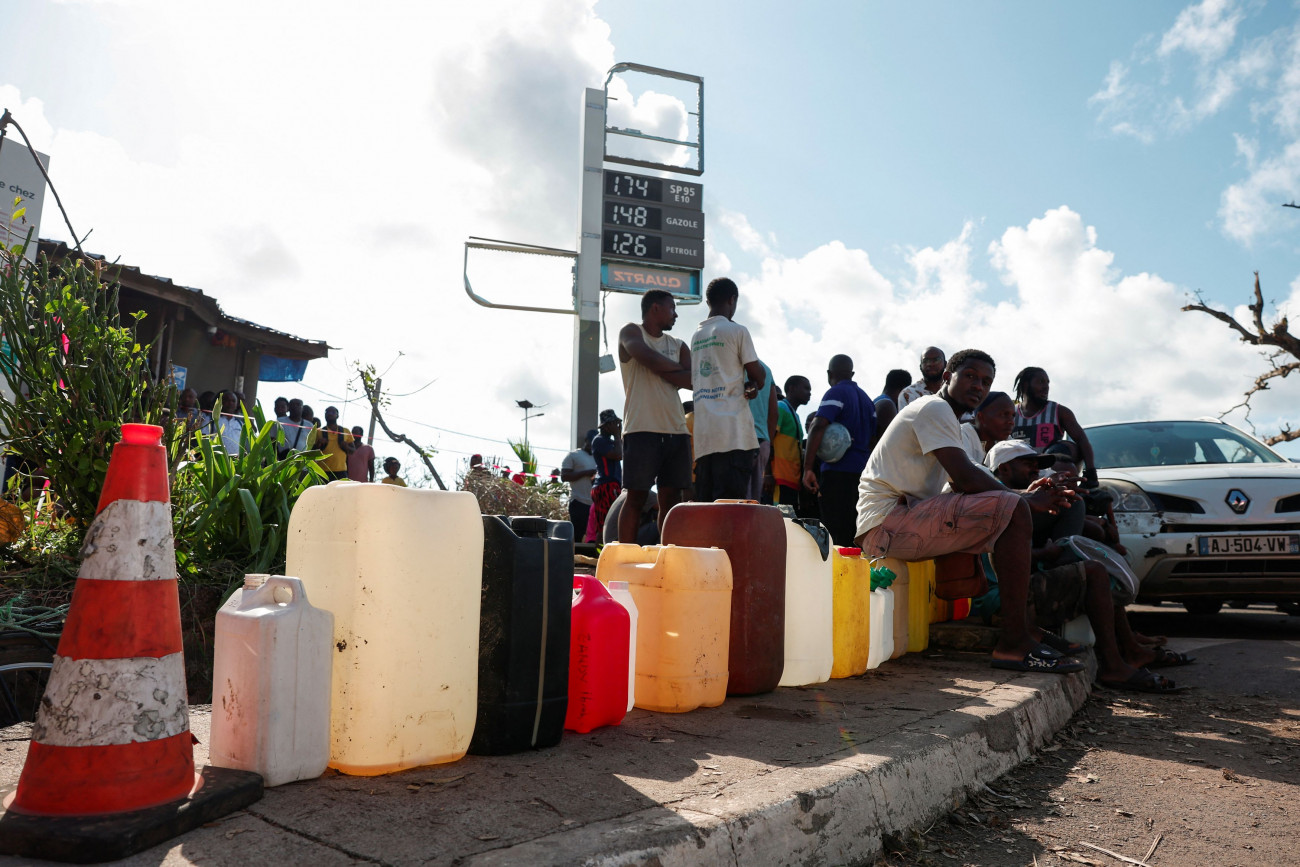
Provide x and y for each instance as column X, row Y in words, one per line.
column 1046, row 181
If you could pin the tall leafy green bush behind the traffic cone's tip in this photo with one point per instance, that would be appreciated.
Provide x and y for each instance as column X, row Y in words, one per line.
column 79, row 371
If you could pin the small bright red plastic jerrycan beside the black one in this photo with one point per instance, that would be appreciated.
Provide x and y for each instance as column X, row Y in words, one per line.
column 599, row 658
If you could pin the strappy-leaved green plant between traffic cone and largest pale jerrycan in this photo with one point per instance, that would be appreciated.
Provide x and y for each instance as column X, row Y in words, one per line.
column 233, row 510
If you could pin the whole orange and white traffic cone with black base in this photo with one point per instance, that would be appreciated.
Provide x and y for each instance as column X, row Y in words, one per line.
column 112, row 735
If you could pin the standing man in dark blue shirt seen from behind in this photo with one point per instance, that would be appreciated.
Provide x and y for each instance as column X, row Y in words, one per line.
column 838, row 491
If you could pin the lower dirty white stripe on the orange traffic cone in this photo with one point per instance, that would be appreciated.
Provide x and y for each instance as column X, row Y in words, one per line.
column 107, row 703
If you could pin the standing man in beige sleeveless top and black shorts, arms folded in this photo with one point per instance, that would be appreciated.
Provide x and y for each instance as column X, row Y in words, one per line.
column 656, row 441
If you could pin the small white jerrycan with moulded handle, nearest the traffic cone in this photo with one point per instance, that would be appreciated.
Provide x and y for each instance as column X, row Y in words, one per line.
column 271, row 682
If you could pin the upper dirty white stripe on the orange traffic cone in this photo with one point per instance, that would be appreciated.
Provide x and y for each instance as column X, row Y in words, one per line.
column 131, row 541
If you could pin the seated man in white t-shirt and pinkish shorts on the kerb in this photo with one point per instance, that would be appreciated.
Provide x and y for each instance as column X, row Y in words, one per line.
column 904, row 514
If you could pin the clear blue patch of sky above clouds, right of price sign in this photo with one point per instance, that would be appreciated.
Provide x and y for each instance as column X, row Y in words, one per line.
column 911, row 119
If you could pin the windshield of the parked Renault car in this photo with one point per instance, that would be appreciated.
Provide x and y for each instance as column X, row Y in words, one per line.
column 1175, row 444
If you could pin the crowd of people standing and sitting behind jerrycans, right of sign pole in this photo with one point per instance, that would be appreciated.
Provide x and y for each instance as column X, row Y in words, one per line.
column 931, row 469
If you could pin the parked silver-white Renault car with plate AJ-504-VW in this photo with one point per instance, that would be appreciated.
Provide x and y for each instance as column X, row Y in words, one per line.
column 1207, row 513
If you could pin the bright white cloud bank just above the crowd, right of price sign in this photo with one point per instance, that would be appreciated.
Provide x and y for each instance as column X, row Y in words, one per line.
column 1117, row 345
